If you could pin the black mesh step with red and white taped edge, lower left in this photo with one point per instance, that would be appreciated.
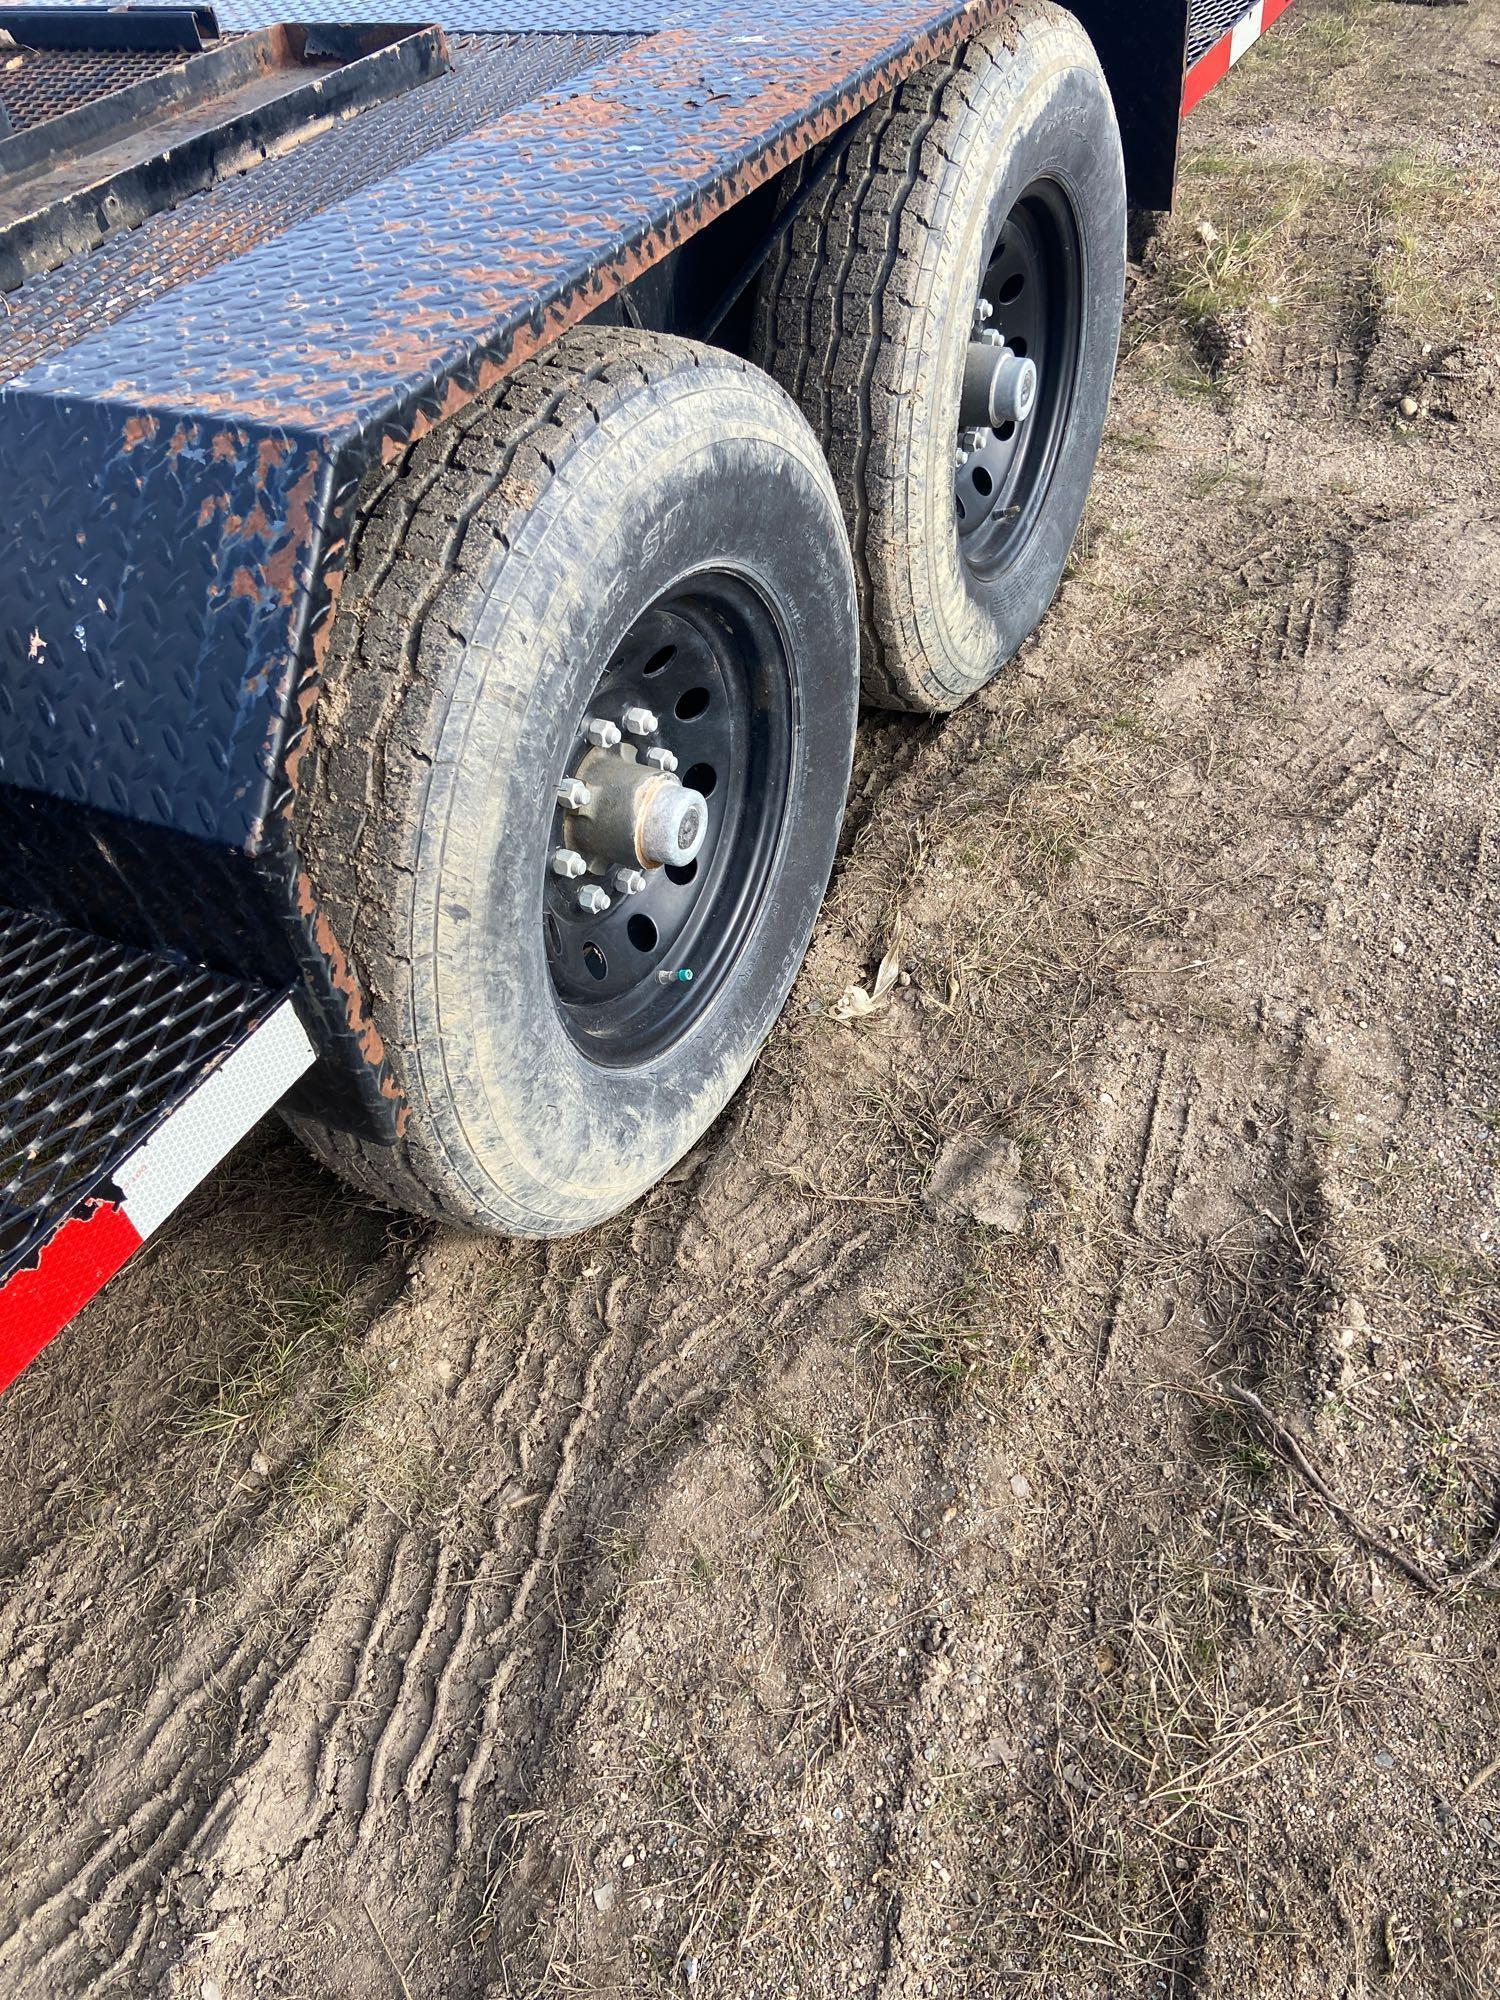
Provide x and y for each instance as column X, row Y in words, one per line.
column 123, row 1081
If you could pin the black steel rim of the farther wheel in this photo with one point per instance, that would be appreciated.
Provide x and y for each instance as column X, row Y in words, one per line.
column 1035, row 295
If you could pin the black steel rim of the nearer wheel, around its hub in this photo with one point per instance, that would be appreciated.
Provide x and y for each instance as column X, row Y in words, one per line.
column 711, row 663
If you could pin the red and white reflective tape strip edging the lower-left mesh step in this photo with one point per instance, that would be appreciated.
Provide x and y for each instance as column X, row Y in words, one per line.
column 93, row 1243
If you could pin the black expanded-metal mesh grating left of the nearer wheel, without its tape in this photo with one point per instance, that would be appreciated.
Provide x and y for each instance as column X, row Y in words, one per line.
column 97, row 1043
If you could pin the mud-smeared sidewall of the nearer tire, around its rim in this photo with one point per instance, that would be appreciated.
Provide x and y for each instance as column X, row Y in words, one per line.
column 521, row 1109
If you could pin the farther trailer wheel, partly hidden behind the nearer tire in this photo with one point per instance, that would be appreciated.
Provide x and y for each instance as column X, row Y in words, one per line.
column 947, row 313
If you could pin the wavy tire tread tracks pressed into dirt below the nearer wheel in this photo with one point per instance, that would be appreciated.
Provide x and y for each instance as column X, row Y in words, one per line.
column 421, row 1675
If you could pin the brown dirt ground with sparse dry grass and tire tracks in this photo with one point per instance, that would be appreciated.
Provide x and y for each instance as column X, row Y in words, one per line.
column 1011, row 1515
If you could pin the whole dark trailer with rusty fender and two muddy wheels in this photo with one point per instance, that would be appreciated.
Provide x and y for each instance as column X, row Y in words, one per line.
column 461, row 477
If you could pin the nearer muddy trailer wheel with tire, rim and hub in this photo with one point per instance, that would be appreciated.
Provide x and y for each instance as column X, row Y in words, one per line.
column 579, row 771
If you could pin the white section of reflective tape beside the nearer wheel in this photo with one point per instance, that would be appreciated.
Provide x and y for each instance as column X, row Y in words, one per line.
column 215, row 1119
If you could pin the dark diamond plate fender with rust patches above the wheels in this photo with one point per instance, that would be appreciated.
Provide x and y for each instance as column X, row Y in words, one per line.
column 175, row 479
